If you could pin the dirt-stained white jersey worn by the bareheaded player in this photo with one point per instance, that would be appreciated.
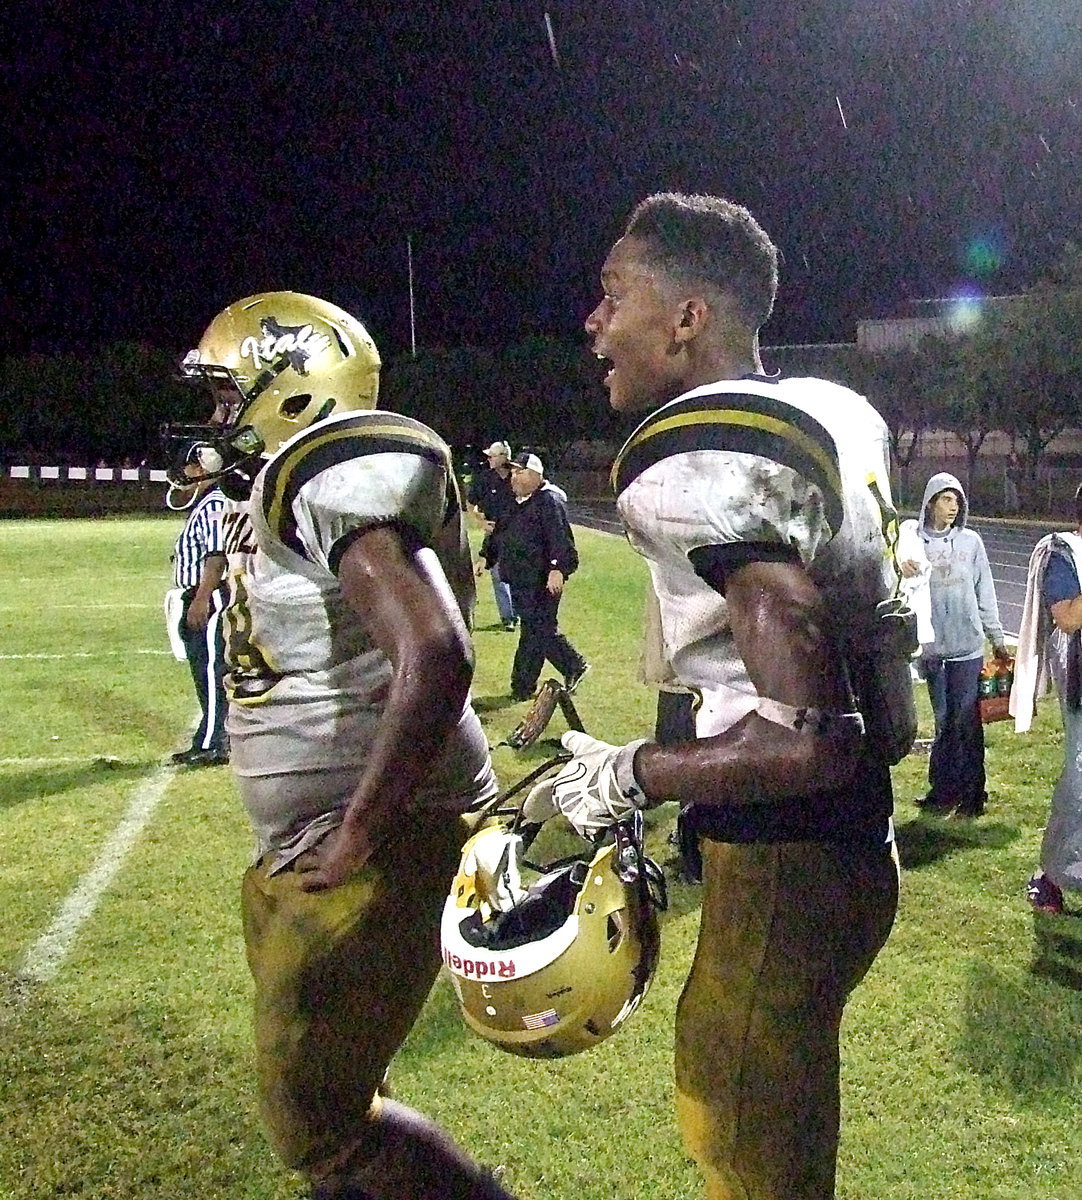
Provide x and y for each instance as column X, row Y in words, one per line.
column 797, row 466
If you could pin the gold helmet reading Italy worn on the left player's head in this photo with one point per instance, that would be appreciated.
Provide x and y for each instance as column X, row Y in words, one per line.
column 275, row 364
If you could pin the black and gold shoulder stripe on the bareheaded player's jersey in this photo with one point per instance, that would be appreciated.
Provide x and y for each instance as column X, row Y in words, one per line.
column 742, row 423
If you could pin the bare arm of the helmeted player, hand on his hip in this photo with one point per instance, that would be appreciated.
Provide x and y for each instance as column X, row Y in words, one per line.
column 402, row 597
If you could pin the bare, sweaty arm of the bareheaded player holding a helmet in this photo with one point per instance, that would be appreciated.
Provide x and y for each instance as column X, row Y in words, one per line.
column 779, row 629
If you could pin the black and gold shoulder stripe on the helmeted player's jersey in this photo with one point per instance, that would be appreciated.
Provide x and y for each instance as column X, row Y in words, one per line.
column 336, row 442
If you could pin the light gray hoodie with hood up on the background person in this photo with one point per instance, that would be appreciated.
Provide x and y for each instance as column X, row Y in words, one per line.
column 964, row 595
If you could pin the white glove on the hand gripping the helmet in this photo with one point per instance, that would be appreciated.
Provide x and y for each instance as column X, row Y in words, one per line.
column 594, row 791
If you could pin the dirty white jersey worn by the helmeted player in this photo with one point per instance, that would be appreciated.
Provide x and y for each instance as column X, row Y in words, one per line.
column 308, row 685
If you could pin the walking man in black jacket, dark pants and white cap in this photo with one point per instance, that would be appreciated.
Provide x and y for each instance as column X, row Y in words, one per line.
column 537, row 556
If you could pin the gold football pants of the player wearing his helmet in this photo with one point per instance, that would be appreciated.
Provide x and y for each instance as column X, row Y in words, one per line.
column 340, row 979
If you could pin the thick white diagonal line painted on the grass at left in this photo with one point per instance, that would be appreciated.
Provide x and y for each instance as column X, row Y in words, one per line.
column 45, row 958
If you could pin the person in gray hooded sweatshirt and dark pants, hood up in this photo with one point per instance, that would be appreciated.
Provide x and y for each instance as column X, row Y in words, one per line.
column 964, row 614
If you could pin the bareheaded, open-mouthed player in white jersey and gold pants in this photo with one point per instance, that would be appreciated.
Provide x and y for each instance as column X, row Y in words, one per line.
column 764, row 511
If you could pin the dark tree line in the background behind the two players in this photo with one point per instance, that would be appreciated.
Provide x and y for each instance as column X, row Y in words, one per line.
column 1019, row 371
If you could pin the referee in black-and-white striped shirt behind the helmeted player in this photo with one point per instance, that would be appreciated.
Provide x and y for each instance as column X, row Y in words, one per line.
column 199, row 571
